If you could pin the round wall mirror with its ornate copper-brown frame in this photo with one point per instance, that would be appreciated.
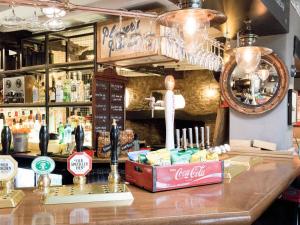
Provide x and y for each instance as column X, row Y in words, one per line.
column 257, row 92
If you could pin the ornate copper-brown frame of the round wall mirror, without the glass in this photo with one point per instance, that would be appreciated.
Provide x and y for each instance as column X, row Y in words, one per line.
column 259, row 109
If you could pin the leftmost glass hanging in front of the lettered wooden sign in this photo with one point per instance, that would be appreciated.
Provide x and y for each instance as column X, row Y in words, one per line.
column 135, row 41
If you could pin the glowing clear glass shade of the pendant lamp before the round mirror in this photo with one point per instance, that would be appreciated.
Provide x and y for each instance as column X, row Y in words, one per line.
column 247, row 58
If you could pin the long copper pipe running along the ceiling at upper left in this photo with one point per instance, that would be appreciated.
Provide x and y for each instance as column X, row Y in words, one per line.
column 73, row 7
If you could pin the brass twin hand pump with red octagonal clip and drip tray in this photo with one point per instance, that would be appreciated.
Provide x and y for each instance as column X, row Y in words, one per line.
column 79, row 164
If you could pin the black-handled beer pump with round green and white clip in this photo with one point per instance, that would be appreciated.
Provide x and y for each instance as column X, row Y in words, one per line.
column 43, row 165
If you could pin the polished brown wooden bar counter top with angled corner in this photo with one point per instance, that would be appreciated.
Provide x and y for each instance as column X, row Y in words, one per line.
column 238, row 201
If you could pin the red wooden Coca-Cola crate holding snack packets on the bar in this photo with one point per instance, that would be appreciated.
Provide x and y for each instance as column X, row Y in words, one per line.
column 162, row 178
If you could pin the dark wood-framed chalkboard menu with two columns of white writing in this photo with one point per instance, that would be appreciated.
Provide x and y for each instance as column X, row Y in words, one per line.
column 108, row 100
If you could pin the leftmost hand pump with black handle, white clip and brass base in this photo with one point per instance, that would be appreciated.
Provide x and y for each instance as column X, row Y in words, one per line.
column 9, row 197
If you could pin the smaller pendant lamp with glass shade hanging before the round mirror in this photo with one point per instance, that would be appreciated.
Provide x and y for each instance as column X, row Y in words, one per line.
column 247, row 55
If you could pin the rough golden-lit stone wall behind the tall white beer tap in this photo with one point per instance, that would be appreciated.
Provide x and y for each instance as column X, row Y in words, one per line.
column 199, row 88
